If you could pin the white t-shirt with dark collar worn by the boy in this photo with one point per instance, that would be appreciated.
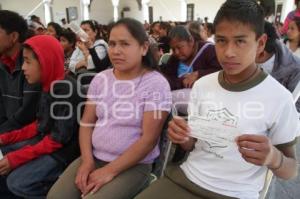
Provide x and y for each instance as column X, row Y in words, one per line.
column 266, row 108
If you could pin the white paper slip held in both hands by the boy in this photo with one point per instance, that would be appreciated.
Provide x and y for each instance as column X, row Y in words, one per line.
column 212, row 131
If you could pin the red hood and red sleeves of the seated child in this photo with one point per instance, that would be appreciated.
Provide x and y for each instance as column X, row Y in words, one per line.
column 51, row 58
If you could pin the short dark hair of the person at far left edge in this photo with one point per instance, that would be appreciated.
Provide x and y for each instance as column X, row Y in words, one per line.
column 13, row 22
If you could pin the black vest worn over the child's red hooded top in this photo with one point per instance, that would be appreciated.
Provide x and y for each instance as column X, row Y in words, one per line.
column 58, row 115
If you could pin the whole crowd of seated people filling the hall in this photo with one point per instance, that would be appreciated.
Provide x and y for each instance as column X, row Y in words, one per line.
column 232, row 79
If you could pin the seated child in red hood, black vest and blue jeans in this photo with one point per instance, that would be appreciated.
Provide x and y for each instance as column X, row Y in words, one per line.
column 37, row 154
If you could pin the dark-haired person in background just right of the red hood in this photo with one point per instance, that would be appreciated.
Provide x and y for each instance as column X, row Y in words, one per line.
column 68, row 42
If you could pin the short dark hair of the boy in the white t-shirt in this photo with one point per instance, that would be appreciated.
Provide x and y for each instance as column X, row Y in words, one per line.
column 248, row 12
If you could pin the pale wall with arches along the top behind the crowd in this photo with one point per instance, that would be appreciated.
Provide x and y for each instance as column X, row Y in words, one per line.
column 102, row 10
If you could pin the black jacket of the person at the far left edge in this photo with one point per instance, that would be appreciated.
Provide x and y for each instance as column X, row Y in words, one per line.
column 18, row 99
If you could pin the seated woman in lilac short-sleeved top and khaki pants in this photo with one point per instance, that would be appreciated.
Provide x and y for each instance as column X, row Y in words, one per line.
column 121, row 124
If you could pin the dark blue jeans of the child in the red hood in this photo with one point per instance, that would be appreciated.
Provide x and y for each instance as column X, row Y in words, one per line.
column 31, row 180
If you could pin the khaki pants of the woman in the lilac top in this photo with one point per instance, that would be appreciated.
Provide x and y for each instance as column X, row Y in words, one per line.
column 124, row 186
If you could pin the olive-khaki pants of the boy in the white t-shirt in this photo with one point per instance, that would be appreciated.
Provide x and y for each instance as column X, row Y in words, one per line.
column 175, row 185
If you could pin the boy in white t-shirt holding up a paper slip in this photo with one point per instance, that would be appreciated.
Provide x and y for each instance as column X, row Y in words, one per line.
column 245, row 121
